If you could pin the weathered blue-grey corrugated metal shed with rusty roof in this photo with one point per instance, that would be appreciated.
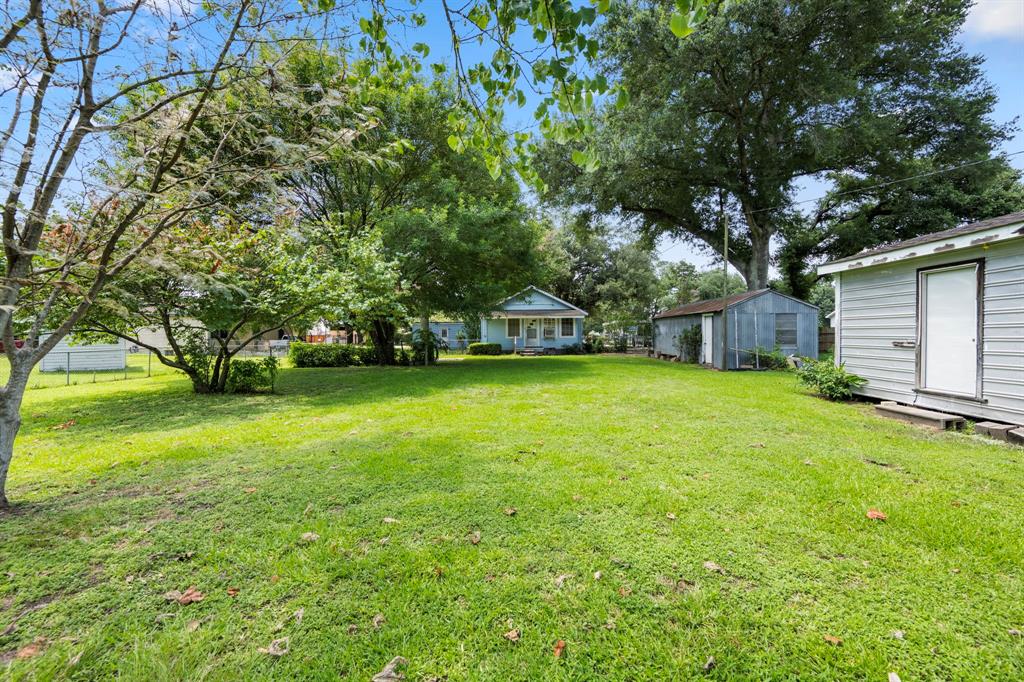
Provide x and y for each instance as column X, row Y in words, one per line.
column 762, row 319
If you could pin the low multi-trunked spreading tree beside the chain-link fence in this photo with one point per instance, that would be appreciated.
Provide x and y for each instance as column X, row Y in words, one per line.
column 212, row 290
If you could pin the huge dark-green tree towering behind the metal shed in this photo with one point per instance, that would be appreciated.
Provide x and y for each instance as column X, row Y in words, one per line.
column 772, row 93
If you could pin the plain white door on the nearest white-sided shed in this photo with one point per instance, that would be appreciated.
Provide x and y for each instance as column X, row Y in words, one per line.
column 950, row 330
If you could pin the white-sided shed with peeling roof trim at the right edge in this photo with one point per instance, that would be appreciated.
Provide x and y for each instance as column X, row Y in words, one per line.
column 938, row 321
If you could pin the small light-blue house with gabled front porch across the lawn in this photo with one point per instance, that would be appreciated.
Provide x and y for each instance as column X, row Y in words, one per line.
column 534, row 321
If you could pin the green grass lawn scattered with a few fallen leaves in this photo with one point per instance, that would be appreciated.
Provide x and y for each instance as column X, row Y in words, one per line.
column 628, row 477
